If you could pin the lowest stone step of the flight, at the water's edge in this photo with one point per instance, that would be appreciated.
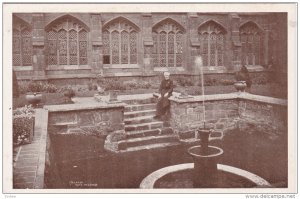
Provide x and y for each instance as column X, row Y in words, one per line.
column 142, row 141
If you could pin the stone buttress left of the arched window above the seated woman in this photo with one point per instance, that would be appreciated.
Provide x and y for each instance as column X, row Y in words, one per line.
column 147, row 43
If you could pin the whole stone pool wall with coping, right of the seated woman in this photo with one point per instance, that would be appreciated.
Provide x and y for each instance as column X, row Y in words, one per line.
column 226, row 112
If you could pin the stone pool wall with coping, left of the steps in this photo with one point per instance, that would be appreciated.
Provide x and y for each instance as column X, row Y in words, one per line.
column 93, row 120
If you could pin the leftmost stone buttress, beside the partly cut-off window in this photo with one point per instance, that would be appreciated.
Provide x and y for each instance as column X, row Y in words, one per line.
column 38, row 43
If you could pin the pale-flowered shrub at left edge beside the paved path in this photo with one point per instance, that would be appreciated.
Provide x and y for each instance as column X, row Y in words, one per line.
column 23, row 125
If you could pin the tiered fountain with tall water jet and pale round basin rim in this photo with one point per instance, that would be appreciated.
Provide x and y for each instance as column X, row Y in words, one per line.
column 205, row 172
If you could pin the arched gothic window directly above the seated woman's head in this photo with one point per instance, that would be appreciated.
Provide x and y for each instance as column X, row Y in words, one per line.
column 167, row 44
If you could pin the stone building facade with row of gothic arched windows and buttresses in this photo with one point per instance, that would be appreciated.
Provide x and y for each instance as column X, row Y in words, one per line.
column 54, row 46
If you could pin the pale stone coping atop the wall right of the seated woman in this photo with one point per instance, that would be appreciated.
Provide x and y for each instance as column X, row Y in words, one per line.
column 229, row 96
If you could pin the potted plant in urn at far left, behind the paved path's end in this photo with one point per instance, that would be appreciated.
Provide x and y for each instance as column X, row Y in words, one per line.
column 34, row 95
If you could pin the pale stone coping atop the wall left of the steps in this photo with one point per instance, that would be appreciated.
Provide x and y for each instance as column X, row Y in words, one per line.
column 81, row 106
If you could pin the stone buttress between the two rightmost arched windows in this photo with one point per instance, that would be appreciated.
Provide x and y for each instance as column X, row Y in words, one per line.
column 236, row 52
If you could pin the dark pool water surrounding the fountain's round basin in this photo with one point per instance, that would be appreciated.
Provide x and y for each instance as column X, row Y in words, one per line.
column 83, row 163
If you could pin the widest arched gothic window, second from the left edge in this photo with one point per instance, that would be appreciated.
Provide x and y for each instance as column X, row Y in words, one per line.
column 67, row 43
